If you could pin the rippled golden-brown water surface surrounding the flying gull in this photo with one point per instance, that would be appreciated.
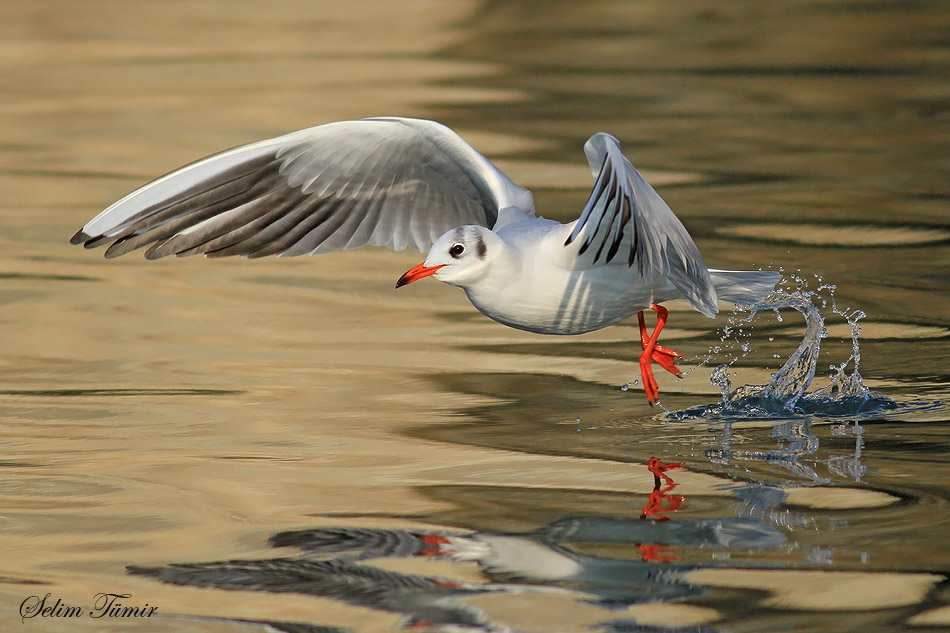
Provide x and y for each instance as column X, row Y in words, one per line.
column 292, row 442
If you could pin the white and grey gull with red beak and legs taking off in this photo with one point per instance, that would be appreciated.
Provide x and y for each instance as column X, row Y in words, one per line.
column 413, row 183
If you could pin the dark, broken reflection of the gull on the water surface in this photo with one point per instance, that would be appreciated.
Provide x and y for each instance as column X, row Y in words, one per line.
column 333, row 564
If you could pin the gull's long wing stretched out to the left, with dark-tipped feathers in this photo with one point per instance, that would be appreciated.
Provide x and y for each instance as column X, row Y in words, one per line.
column 386, row 181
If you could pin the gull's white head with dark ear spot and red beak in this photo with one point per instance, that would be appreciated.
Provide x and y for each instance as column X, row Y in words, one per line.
column 459, row 257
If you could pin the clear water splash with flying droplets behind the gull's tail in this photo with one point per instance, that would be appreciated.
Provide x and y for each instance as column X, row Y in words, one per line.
column 787, row 394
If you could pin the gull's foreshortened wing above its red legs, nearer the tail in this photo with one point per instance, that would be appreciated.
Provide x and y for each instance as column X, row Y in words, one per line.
column 625, row 222
